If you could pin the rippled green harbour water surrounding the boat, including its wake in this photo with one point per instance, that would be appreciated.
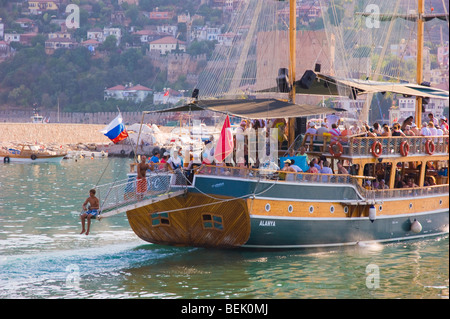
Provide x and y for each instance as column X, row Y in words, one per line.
column 42, row 254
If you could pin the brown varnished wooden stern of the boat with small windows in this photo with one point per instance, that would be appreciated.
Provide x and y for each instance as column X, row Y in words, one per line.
column 193, row 220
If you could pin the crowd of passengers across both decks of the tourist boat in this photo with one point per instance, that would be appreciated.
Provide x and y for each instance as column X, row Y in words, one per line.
column 315, row 165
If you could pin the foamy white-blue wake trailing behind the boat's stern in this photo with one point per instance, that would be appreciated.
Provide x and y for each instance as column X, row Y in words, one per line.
column 75, row 273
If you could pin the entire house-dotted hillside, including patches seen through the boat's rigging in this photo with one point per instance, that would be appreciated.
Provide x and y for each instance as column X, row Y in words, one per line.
column 138, row 54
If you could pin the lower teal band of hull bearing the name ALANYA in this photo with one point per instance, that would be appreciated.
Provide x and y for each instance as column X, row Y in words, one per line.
column 267, row 232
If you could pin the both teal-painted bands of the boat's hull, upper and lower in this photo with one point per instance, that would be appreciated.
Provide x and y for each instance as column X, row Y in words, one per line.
column 291, row 232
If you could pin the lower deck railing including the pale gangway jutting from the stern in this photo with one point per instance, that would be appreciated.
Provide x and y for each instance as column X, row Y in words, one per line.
column 123, row 195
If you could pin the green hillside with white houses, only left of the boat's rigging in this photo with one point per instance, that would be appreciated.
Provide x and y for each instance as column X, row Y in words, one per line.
column 122, row 52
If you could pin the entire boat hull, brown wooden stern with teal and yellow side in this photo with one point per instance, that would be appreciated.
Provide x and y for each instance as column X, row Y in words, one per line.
column 280, row 215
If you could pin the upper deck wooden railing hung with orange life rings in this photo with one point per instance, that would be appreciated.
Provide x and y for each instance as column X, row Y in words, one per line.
column 390, row 146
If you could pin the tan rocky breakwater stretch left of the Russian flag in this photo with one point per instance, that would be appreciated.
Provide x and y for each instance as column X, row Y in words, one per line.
column 54, row 136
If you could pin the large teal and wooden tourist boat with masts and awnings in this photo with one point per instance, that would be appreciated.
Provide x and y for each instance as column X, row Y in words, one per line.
column 223, row 206
